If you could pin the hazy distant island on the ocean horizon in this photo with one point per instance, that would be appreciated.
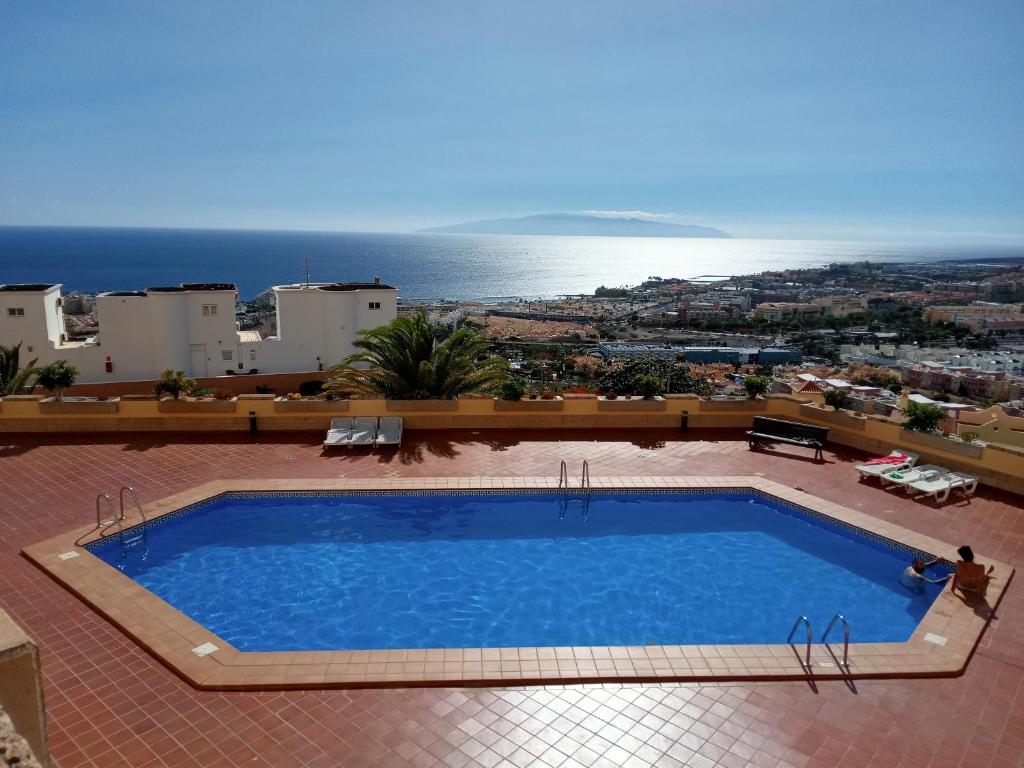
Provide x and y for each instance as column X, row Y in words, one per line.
column 580, row 225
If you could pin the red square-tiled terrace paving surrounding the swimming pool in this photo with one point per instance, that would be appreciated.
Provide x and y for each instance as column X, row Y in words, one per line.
column 110, row 704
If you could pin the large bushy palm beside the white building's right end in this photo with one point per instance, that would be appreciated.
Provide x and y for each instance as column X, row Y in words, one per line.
column 405, row 360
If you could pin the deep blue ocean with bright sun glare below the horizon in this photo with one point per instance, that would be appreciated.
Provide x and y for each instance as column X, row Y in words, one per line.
column 422, row 267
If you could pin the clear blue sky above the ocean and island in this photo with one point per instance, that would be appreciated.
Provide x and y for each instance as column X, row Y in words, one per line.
column 767, row 119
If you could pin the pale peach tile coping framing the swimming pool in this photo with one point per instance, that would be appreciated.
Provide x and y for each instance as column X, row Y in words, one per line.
column 942, row 646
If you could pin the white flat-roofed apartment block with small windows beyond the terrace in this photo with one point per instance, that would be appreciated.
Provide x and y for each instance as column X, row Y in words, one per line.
column 192, row 328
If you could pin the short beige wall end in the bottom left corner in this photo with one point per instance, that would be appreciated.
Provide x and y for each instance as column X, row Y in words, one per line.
column 21, row 695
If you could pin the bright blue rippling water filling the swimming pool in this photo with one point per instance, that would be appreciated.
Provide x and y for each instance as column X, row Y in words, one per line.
column 345, row 572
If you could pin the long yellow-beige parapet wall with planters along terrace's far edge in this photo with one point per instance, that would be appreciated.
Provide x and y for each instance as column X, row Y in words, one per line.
column 995, row 464
